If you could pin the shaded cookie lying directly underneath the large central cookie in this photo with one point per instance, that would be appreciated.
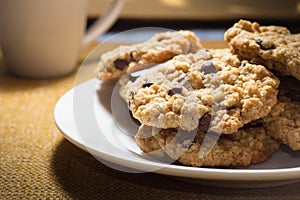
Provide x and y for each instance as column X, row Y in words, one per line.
column 247, row 146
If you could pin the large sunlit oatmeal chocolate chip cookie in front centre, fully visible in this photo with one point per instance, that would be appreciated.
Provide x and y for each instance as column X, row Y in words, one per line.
column 209, row 89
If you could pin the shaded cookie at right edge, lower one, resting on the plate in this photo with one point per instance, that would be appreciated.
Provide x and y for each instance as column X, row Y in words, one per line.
column 283, row 123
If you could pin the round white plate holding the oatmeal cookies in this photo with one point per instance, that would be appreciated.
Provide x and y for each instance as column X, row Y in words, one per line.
column 85, row 117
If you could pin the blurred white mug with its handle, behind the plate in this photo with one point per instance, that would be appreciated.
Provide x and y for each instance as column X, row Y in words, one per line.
column 43, row 38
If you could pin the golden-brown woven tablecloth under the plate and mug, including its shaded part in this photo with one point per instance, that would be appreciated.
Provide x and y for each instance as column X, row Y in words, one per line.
column 36, row 162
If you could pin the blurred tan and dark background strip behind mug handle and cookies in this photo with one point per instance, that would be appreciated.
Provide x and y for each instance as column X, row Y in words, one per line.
column 190, row 14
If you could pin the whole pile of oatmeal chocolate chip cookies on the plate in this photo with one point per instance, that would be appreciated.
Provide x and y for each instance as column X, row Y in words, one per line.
column 212, row 107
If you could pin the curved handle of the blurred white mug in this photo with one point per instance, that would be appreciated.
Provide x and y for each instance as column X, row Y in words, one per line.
column 103, row 23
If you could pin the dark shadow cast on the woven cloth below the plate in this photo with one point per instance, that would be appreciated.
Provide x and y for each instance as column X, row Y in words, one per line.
column 81, row 176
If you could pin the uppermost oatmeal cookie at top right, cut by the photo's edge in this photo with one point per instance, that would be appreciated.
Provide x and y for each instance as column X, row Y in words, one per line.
column 272, row 46
